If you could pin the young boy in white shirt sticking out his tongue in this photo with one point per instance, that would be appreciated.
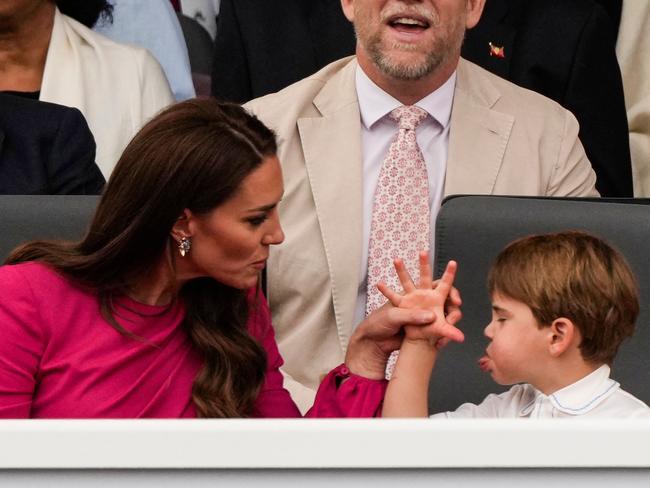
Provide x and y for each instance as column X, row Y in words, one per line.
column 561, row 306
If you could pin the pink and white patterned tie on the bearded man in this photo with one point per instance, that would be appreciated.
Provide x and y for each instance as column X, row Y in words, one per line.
column 400, row 215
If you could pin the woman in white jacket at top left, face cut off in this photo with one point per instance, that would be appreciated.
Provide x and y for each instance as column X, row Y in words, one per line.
column 50, row 56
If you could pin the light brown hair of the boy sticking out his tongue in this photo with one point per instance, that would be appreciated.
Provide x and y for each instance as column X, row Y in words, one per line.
column 573, row 275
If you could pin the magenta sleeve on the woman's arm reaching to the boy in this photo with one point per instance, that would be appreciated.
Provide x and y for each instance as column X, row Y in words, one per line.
column 341, row 393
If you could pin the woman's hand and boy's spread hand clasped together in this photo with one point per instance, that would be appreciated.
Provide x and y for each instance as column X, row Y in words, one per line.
column 426, row 311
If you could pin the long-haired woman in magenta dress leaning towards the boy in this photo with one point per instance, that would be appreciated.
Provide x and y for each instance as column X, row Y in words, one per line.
column 157, row 311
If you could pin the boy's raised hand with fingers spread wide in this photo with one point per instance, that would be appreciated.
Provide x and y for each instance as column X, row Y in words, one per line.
column 425, row 296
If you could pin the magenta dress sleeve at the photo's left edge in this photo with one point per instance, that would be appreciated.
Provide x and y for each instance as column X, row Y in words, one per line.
column 21, row 344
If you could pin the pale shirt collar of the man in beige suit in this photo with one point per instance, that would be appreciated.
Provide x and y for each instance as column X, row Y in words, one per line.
column 375, row 103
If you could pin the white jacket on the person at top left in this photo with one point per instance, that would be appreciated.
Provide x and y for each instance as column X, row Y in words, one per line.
column 117, row 87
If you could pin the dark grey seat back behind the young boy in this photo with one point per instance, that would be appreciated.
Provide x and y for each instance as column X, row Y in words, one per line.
column 473, row 229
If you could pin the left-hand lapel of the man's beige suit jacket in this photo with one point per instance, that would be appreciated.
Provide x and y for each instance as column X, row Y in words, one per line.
column 332, row 148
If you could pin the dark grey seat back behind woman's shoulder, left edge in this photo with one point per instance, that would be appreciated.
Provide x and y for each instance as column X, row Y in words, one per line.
column 28, row 217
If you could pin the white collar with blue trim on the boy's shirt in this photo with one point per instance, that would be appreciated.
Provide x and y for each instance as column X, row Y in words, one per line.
column 579, row 397
